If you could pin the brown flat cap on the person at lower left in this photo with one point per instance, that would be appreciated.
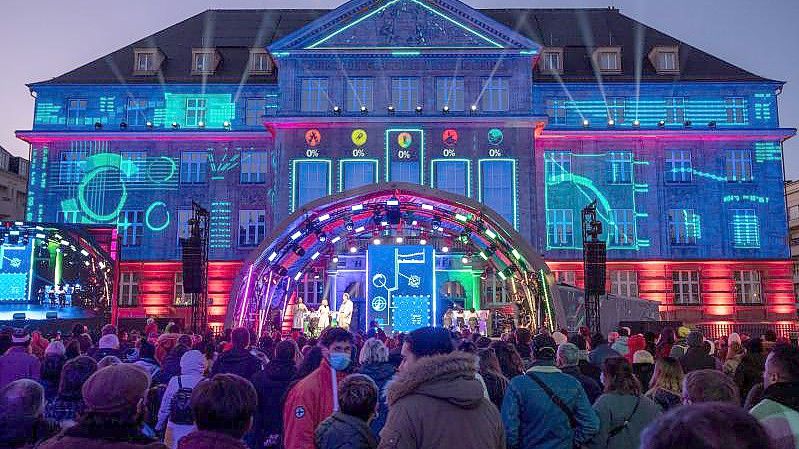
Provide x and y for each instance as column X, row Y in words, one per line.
column 115, row 389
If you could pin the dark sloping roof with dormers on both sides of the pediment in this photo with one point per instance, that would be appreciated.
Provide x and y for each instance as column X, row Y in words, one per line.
column 233, row 32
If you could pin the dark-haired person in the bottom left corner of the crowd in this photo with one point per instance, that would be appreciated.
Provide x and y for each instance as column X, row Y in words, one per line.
column 21, row 423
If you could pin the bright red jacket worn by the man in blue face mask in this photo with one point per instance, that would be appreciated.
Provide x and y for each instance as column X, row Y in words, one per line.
column 307, row 404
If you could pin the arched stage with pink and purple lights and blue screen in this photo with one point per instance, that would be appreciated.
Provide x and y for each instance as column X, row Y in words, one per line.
column 395, row 229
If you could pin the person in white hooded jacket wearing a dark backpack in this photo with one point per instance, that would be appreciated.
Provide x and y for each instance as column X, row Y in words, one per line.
column 192, row 370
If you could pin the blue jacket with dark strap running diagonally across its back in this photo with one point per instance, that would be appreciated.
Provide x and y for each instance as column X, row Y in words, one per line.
column 532, row 420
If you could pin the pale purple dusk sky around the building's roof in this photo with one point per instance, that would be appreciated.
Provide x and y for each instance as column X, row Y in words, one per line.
column 41, row 39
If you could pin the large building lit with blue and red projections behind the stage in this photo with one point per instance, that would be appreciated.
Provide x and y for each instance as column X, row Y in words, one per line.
column 255, row 113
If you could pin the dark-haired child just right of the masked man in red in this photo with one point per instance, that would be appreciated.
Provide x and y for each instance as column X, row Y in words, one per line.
column 348, row 428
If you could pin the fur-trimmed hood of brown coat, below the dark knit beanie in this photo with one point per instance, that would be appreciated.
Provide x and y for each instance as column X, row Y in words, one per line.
column 449, row 377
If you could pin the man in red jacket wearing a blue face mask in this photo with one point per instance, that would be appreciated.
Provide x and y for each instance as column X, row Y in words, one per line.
column 311, row 400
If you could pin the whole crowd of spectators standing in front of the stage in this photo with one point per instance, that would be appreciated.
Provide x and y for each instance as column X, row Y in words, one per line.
column 429, row 388
